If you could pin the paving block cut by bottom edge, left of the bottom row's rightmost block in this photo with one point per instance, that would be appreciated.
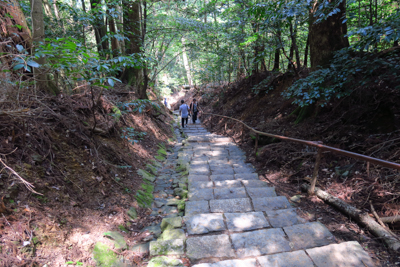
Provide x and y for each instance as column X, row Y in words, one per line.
column 287, row 259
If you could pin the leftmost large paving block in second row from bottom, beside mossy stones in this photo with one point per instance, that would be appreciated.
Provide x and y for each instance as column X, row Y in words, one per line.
column 216, row 246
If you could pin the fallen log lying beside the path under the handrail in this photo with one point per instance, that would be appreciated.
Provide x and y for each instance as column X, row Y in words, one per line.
column 359, row 216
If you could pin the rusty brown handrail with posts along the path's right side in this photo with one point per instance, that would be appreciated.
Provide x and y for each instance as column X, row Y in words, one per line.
column 318, row 144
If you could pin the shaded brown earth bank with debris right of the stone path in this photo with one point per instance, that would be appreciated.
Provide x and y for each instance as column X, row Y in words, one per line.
column 361, row 123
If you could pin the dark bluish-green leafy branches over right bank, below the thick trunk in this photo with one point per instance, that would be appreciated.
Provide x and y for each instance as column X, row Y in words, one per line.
column 349, row 71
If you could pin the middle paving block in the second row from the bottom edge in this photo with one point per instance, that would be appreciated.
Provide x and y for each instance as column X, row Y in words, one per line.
column 260, row 242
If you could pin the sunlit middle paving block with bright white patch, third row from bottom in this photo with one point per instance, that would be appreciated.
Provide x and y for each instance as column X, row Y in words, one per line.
column 246, row 221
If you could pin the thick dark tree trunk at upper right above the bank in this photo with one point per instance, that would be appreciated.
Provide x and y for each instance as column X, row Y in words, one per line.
column 326, row 36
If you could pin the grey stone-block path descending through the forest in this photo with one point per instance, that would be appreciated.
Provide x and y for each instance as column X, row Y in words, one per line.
column 234, row 219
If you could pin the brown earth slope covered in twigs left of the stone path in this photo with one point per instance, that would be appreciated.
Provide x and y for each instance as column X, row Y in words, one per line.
column 82, row 159
